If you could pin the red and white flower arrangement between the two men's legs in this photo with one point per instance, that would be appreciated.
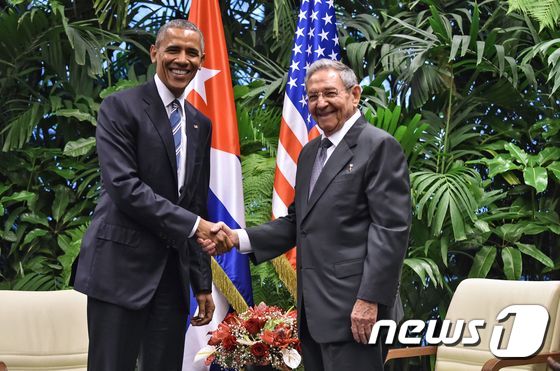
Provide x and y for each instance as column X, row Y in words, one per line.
column 262, row 335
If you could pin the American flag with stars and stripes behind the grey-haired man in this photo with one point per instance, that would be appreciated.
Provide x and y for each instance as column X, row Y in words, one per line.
column 315, row 38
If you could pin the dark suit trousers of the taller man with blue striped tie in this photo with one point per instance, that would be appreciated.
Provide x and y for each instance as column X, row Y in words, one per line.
column 154, row 335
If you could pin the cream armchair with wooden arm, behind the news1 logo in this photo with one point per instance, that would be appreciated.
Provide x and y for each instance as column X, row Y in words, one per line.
column 484, row 299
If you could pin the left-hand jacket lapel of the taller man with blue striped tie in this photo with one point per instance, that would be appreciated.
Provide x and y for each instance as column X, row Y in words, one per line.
column 158, row 116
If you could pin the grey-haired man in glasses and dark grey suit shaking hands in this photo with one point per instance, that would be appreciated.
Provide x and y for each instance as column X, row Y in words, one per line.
column 350, row 222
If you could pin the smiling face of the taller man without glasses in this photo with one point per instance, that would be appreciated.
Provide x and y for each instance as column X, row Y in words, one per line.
column 177, row 56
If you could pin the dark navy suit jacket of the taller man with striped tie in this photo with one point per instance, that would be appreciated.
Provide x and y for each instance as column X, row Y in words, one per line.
column 140, row 215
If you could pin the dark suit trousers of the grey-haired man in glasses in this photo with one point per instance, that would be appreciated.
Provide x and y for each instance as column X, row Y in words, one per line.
column 339, row 356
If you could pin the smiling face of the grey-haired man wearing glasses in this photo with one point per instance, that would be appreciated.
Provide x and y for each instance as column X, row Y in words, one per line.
column 330, row 110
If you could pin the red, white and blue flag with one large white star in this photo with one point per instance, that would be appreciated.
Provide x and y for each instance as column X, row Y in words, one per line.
column 211, row 92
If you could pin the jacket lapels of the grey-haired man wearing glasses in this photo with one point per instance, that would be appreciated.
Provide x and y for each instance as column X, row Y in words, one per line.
column 339, row 158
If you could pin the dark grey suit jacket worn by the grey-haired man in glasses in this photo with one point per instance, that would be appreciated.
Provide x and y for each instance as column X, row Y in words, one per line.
column 351, row 234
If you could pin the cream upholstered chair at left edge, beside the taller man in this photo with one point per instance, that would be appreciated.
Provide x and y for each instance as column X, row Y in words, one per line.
column 43, row 330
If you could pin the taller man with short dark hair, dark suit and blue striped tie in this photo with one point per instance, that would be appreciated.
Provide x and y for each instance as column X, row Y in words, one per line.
column 139, row 256
